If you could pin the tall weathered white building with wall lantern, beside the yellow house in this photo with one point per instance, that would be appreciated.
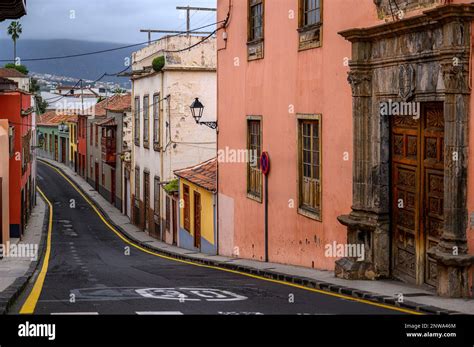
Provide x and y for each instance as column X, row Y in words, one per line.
column 165, row 135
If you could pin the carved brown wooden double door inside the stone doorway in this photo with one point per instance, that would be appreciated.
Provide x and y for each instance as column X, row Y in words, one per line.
column 417, row 190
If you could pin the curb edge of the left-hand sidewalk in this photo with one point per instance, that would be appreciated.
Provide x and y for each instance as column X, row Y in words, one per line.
column 11, row 293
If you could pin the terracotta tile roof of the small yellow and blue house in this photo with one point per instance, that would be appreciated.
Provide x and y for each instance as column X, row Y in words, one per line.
column 203, row 175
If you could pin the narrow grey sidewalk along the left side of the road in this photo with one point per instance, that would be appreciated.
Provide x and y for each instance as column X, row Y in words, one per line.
column 15, row 272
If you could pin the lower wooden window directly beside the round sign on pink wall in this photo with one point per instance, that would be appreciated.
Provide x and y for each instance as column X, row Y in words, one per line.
column 254, row 146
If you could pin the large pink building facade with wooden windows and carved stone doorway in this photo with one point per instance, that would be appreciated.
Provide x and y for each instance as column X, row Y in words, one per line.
column 351, row 189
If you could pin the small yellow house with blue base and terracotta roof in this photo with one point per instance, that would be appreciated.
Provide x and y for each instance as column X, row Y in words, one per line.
column 198, row 212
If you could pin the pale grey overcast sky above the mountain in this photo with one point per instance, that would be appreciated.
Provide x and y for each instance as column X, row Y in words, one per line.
column 107, row 20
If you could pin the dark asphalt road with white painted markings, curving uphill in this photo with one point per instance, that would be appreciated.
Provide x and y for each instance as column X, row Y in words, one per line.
column 91, row 272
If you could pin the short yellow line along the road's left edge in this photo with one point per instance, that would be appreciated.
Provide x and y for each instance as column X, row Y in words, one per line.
column 30, row 303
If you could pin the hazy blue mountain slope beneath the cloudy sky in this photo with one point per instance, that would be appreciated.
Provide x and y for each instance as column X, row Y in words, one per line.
column 87, row 67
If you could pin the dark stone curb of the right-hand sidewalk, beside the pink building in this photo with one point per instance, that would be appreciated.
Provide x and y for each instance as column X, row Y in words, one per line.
column 298, row 280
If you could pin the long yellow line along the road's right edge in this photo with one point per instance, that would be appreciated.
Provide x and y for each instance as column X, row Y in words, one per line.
column 119, row 234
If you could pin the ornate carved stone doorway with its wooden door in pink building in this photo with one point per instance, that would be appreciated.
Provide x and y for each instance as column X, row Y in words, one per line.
column 421, row 59
